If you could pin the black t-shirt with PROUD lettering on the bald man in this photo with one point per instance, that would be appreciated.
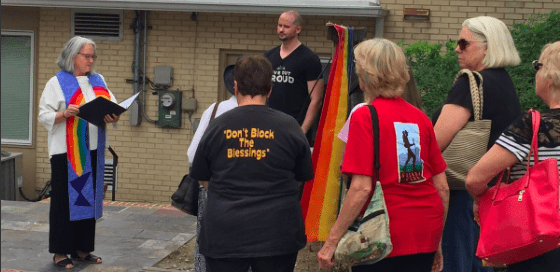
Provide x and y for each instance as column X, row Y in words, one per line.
column 289, row 81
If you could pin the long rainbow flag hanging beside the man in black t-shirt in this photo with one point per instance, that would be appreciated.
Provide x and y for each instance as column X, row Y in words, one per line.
column 321, row 195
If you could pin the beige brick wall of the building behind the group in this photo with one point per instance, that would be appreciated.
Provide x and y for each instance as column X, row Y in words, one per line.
column 152, row 160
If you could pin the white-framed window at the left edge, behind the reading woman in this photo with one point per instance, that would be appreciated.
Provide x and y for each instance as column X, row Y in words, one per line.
column 17, row 87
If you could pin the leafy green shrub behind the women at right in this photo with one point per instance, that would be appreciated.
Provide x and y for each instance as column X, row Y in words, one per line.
column 435, row 66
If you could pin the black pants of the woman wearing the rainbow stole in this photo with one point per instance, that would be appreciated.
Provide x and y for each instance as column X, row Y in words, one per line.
column 67, row 236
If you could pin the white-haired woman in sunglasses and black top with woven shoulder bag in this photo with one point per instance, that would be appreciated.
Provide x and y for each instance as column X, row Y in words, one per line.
column 485, row 45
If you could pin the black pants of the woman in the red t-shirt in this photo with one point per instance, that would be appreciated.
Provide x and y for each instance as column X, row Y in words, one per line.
column 407, row 263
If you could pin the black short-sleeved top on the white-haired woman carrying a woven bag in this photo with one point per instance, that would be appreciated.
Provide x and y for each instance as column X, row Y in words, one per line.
column 501, row 104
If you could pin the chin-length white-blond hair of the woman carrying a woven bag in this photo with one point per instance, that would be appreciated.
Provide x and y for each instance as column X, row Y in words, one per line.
column 500, row 50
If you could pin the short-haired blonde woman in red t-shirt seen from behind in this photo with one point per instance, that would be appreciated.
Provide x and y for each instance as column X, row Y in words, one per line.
column 382, row 71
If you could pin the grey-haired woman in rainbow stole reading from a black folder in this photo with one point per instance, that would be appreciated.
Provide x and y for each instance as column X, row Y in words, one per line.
column 76, row 197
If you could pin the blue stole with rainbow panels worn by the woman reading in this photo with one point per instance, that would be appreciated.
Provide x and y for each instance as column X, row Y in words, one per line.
column 85, row 200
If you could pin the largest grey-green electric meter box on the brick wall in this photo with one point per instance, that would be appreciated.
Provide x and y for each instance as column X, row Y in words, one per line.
column 169, row 112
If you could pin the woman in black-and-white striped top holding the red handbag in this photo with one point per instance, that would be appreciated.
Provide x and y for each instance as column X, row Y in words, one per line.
column 512, row 147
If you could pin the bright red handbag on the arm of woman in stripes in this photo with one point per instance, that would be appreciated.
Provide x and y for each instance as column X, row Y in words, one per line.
column 520, row 220
